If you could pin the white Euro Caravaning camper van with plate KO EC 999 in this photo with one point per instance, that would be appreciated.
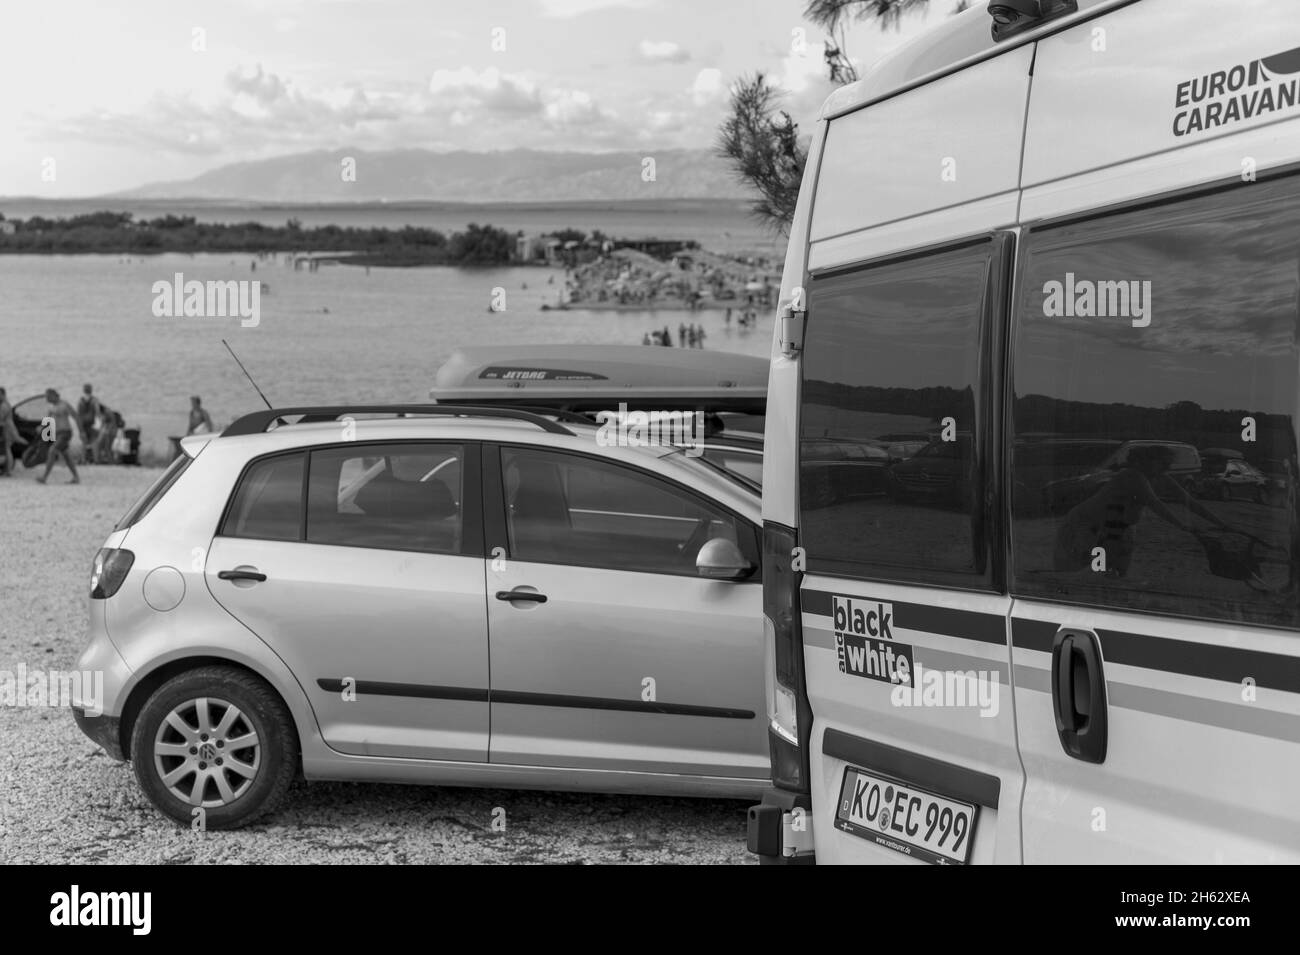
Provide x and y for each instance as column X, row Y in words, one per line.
column 1045, row 231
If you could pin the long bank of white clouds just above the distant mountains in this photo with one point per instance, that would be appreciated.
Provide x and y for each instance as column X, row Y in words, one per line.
column 258, row 114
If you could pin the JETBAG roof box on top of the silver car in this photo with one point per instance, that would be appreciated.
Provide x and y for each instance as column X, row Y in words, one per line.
column 596, row 377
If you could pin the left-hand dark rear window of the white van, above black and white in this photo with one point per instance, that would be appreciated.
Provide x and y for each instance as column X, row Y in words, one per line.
column 890, row 472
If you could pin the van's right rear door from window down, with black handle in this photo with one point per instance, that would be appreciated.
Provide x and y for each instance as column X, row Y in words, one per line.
column 1156, row 536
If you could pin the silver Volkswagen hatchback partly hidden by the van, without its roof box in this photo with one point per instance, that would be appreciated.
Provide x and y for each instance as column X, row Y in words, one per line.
column 430, row 594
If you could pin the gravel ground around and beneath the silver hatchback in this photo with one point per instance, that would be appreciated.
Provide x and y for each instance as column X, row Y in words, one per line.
column 63, row 801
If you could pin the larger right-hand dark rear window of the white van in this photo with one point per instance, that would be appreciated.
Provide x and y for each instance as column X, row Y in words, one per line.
column 1154, row 457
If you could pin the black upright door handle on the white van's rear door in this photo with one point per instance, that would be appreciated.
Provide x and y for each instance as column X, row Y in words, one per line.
column 1080, row 694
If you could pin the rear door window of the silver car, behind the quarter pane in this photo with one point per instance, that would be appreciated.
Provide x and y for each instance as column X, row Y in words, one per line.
column 398, row 497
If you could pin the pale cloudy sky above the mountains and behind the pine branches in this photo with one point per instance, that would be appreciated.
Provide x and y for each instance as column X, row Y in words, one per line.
column 109, row 97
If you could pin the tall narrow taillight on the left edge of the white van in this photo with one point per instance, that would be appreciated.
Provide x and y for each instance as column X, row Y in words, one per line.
column 790, row 717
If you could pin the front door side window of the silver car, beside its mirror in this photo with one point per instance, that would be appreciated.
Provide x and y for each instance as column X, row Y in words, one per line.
column 574, row 510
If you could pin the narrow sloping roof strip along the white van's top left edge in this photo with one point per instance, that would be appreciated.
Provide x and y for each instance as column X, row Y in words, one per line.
column 952, row 45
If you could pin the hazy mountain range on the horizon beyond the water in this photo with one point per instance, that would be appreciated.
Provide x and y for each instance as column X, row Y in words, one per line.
column 470, row 177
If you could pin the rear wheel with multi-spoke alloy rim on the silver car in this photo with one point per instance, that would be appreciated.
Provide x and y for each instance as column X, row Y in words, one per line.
column 215, row 739
